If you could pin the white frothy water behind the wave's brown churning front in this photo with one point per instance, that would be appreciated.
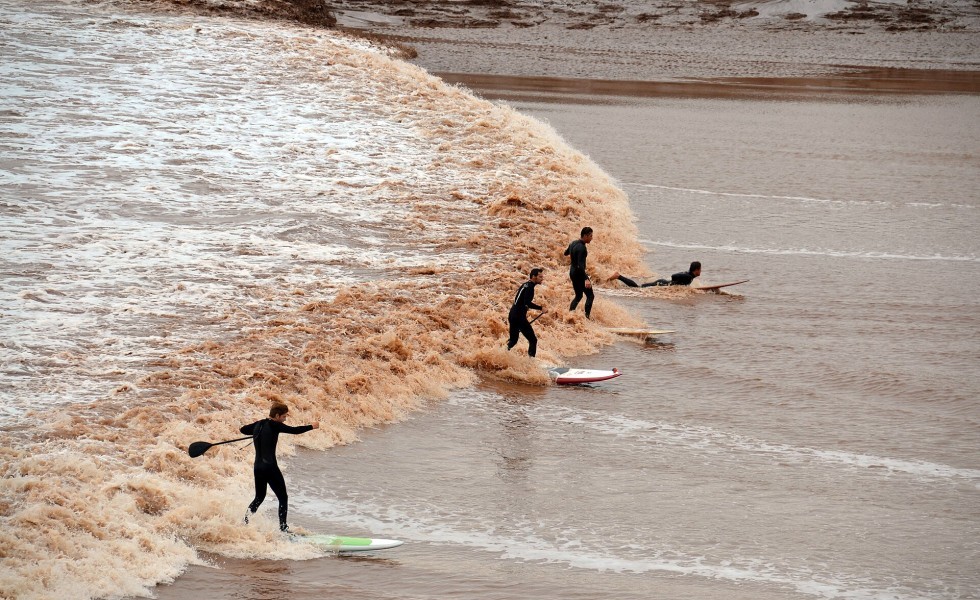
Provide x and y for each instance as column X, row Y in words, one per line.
column 153, row 190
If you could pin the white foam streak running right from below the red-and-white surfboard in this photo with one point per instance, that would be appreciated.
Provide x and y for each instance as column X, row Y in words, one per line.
column 706, row 439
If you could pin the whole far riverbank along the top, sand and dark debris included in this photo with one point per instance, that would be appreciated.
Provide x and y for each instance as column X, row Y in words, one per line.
column 880, row 47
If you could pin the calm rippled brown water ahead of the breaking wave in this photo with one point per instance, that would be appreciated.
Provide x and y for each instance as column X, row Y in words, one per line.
column 812, row 433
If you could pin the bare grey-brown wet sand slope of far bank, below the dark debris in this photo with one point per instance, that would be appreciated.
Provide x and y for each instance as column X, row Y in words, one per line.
column 624, row 54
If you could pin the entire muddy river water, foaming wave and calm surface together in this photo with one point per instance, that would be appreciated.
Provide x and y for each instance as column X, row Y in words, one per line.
column 202, row 216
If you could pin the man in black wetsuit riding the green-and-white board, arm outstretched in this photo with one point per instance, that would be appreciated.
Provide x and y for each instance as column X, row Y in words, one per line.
column 265, row 436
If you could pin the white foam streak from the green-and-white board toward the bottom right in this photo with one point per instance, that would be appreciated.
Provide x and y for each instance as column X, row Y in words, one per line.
column 626, row 556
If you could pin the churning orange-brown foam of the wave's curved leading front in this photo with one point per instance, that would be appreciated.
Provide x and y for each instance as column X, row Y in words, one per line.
column 103, row 499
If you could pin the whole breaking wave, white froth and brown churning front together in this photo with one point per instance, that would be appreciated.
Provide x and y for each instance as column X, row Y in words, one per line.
column 203, row 217
